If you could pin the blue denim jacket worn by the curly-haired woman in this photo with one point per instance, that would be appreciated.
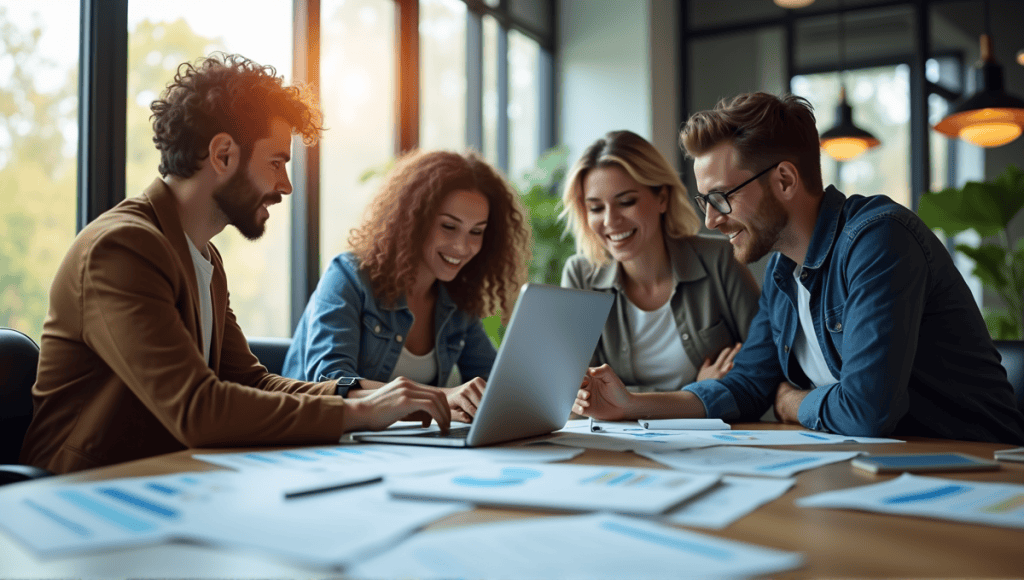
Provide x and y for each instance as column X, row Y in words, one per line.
column 346, row 333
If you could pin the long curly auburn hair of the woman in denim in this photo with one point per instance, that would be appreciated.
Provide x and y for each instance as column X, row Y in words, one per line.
column 402, row 214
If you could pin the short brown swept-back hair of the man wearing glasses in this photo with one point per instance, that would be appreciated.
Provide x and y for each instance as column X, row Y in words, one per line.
column 764, row 129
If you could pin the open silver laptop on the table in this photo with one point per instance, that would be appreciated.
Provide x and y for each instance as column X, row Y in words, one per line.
column 540, row 365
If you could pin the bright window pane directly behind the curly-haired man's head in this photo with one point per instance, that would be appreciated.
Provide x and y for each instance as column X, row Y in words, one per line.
column 162, row 35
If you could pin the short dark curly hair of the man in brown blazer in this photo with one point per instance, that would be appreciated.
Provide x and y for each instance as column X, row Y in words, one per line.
column 227, row 94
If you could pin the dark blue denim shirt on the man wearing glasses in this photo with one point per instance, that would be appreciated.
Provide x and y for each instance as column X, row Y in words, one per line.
column 898, row 325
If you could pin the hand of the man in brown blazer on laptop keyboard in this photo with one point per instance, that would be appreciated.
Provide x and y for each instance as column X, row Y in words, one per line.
column 401, row 399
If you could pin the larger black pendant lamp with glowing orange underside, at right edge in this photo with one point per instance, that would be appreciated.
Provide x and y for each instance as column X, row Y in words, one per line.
column 991, row 117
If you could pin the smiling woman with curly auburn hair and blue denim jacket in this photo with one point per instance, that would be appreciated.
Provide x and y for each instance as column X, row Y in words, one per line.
column 445, row 243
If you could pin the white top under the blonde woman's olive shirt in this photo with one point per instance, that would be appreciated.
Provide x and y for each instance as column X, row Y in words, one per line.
column 659, row 359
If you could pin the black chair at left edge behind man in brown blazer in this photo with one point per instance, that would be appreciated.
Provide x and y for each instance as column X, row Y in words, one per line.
column 19, row 358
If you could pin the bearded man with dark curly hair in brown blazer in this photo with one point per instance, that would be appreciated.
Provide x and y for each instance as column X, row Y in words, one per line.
column 141, row 353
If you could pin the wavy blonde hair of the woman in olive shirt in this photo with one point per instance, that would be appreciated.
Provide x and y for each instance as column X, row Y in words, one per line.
column 649, row 168
